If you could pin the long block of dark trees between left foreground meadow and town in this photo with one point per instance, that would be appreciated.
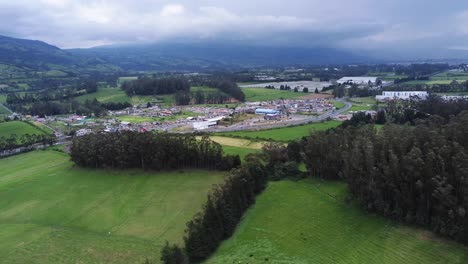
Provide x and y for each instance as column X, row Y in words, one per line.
column 149, row 150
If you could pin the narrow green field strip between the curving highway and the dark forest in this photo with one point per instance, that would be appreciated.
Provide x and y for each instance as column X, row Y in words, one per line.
column 283, row 134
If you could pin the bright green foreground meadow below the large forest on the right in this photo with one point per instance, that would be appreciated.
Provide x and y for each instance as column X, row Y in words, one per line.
column 309, row 222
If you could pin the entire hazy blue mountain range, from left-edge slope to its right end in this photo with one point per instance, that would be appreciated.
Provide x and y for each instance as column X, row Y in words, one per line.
column 165, row 56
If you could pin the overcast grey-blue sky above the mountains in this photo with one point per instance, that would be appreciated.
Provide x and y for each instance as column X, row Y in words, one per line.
column 424, row 26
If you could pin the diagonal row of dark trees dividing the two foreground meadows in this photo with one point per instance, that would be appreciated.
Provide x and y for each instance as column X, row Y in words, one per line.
column 223, row 210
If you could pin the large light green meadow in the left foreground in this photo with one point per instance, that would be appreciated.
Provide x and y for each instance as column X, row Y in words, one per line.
column 54, row 212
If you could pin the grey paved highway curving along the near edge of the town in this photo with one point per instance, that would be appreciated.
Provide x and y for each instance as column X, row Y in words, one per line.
column 304, row 121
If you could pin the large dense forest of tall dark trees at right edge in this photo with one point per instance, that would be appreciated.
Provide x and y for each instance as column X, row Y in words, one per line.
column 415, row 174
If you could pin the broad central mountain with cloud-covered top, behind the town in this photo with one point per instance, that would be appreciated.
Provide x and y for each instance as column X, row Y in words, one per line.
column 176, row 56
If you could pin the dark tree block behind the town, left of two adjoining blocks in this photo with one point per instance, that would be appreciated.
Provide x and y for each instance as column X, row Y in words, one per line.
column 154, row 86
